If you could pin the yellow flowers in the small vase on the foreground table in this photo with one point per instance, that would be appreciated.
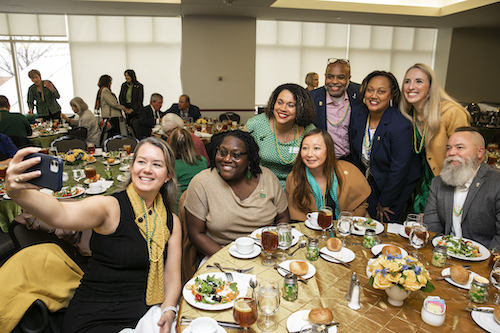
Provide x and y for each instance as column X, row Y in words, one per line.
column 407, row 273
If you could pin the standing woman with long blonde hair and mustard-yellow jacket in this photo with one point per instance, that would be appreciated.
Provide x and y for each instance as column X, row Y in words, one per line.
column 435, row 116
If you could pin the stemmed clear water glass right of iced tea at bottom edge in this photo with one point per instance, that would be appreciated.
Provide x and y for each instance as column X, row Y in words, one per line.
column 268, row 301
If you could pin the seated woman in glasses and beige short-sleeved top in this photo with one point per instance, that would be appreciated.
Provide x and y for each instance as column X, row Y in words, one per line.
column 251, row 196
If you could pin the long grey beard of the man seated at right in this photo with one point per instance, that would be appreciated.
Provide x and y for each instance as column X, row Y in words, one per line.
column 458, row 175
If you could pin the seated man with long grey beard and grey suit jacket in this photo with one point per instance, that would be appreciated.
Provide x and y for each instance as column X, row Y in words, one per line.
column 464, row 200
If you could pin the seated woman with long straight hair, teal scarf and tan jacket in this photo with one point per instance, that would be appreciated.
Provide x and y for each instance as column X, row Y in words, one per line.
column 318, row 181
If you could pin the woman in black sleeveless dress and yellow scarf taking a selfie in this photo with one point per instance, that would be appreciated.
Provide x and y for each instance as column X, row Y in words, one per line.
column 136, row 241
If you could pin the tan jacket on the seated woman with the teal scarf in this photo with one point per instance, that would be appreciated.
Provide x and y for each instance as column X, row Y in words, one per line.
column 352, row 196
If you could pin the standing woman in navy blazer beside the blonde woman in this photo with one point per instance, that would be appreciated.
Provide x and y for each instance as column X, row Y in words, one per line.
column 381, row 146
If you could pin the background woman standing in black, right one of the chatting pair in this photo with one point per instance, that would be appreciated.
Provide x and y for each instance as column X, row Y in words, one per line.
column 131, row 95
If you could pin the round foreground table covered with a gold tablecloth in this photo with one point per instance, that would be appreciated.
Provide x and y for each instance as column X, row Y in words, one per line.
column 330, row 283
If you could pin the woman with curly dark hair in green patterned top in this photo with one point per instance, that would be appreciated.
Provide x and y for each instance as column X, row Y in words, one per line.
column 289, row 115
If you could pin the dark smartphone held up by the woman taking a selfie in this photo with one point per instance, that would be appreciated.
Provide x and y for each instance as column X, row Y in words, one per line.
column 51, row 168
